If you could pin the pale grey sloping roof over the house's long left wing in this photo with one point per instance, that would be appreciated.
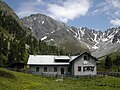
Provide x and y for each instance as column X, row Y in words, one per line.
column 46, row 60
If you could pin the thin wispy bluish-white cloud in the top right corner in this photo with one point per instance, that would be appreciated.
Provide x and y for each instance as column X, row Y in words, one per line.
column 108, row 7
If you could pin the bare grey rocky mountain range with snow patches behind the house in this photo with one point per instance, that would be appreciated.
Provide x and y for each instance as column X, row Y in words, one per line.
column 99, row 43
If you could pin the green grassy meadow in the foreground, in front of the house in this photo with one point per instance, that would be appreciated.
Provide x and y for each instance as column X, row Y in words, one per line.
column 22, row 81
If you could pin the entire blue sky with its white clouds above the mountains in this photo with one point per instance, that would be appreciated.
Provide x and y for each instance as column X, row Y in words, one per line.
column 94, row 14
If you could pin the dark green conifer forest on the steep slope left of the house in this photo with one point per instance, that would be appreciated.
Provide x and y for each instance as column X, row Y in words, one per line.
column 16, row 44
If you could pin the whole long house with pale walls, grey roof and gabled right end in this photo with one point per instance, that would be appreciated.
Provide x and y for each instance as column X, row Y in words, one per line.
column 83, row 64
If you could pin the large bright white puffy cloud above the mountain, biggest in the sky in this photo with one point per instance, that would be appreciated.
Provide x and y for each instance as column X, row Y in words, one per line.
column 68, row 9
